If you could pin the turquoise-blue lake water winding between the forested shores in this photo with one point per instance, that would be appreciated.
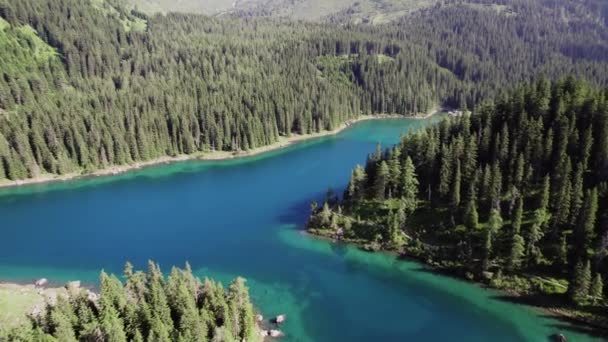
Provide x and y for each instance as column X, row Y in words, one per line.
column 244, row 217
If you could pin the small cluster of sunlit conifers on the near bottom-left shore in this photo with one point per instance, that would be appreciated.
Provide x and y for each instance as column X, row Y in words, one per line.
column 147, row 307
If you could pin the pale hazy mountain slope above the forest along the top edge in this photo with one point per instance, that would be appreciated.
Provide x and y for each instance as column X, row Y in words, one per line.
column 361, row 11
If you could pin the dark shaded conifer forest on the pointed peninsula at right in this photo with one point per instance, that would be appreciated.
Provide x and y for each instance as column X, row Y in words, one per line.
column 514, row 194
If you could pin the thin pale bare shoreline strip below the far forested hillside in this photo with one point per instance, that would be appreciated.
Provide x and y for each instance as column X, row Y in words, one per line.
column 283, row 142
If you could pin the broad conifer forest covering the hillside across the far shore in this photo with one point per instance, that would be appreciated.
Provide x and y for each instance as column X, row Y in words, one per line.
column 89, row 84
